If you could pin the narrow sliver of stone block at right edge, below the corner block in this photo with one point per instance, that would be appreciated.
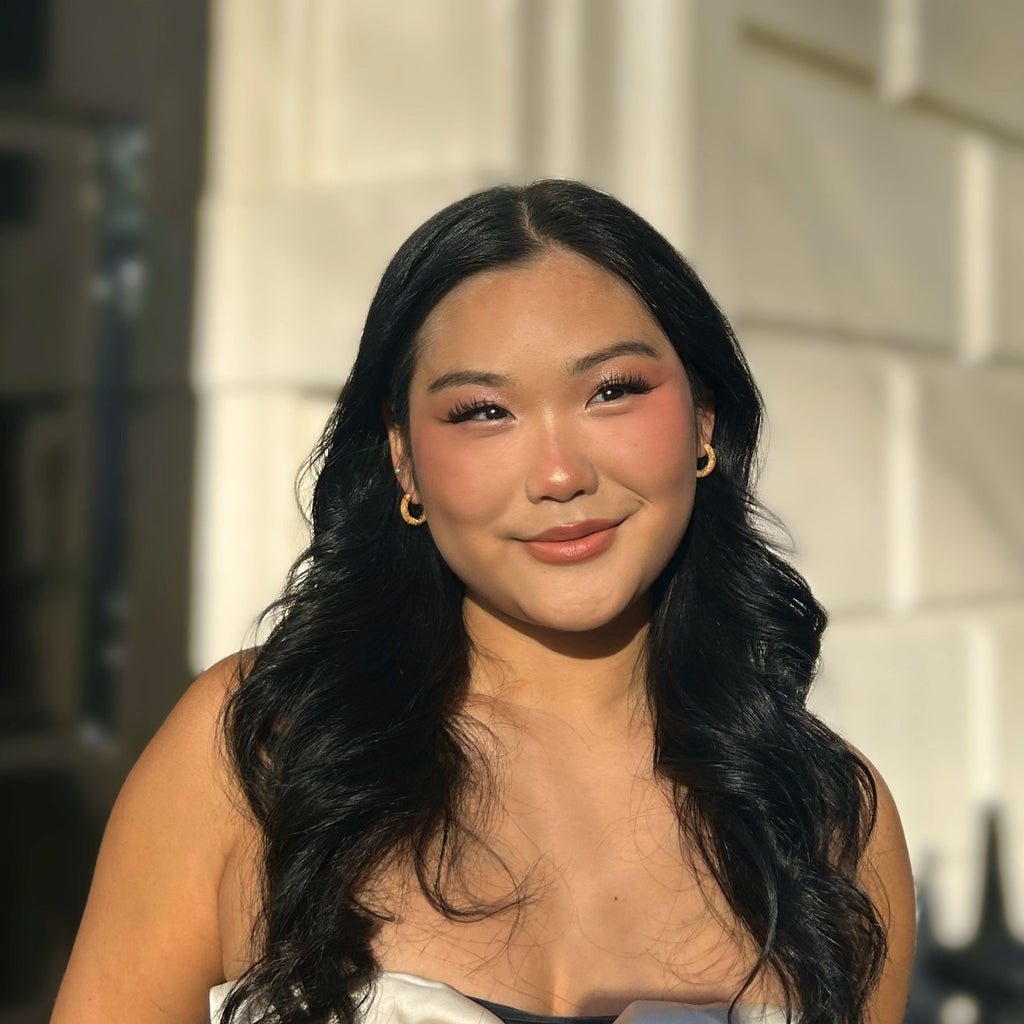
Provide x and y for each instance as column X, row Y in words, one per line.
column 1009, row 244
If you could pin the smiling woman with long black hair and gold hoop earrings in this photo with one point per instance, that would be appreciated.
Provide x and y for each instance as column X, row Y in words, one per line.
column 529, row 736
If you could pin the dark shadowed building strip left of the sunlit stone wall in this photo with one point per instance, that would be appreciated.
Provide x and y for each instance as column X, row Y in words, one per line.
column 97, row 436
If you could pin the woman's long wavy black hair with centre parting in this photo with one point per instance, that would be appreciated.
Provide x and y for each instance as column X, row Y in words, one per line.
column 346, row 731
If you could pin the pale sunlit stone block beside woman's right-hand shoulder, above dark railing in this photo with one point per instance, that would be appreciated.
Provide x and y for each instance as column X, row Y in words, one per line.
column 901, row 693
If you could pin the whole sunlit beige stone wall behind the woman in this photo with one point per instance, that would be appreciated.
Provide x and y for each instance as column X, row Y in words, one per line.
column 849, row 179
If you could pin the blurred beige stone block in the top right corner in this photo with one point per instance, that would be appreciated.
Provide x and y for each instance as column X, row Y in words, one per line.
column 970, row 58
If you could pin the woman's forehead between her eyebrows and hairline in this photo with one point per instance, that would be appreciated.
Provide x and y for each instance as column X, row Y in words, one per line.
column 557, row 306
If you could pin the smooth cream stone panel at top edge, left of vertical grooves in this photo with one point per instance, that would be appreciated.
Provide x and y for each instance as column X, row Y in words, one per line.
column 408, row 88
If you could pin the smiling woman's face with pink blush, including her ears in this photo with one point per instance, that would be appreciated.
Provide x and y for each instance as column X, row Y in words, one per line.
column 547, row 404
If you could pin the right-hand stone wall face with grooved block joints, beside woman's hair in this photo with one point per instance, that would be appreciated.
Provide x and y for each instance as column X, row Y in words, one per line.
column 875, row 249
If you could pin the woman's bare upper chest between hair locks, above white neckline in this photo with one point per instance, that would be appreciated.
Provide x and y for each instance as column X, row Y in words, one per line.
column 602, row 906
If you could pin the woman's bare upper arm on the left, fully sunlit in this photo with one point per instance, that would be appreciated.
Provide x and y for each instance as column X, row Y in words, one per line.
column 149, row 948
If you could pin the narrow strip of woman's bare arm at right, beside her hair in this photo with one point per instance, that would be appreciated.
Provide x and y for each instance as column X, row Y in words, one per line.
column 887, row 878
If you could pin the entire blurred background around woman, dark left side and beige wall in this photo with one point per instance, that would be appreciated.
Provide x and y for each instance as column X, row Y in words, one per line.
column 197, row 198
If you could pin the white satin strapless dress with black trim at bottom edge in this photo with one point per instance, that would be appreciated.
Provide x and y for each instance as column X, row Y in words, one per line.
column 407, row 999
